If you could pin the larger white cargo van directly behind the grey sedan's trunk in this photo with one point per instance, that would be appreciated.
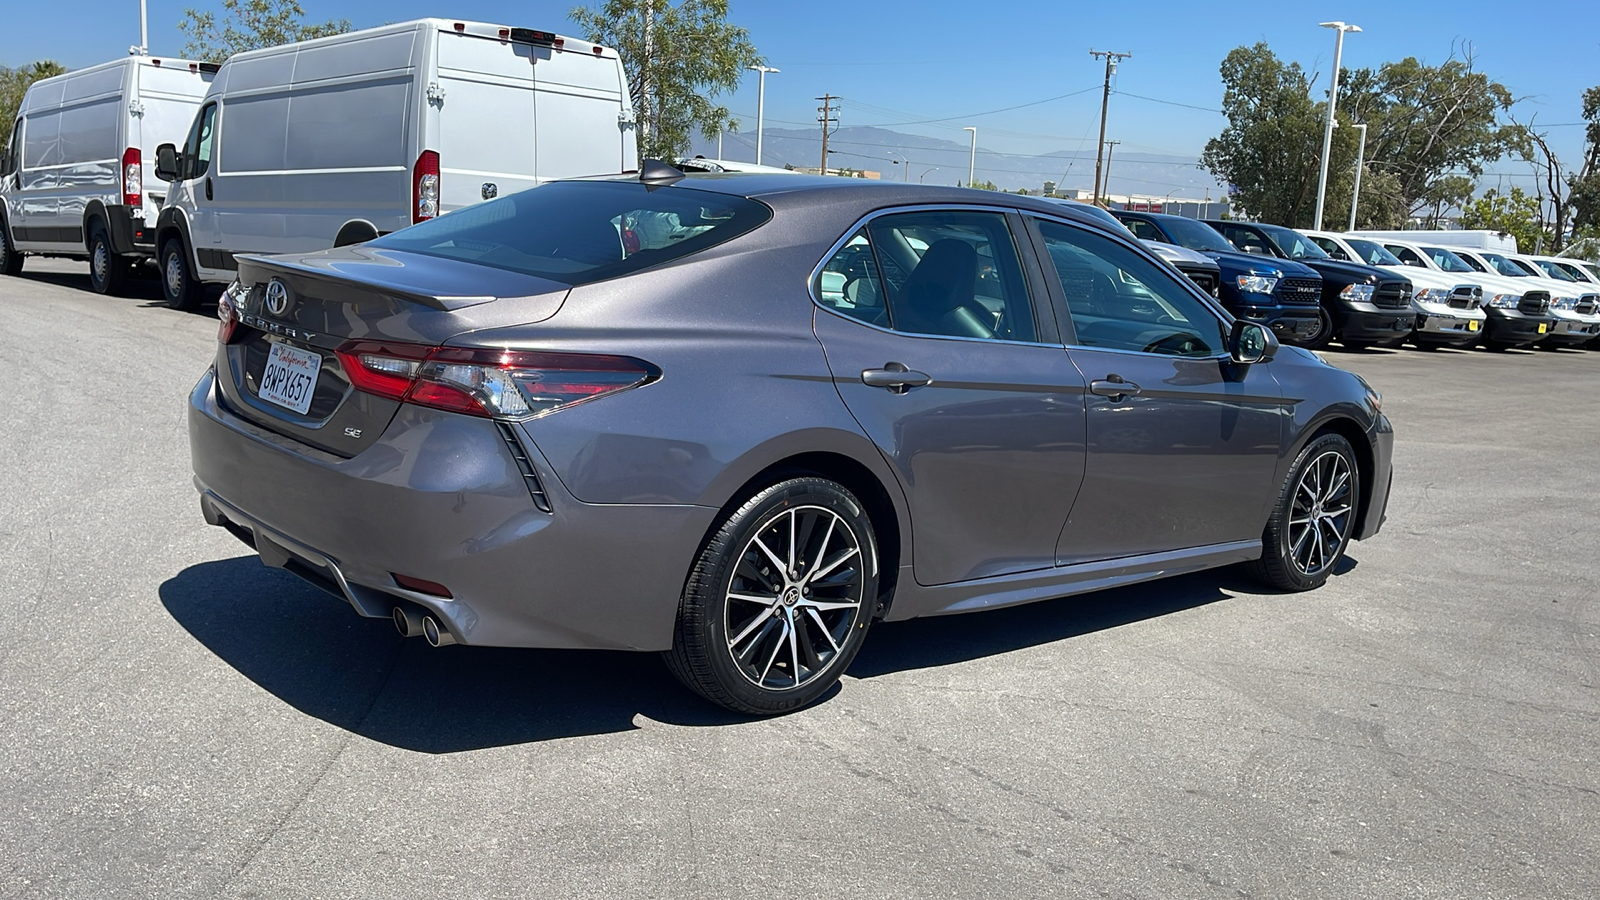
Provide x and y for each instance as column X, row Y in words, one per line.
column 343, row 139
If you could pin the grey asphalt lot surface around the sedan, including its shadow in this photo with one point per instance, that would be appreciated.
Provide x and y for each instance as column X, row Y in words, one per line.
column 180, row 721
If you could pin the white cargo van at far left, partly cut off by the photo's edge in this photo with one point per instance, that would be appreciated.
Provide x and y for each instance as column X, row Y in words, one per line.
column 78, row 174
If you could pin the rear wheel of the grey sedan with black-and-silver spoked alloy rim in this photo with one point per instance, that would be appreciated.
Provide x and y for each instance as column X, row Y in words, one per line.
column 780, row 600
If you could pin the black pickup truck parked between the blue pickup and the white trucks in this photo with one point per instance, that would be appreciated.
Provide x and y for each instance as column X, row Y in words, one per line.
column 1361, row 305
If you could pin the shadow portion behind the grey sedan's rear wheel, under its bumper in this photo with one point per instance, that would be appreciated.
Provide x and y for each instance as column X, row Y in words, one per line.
column 311, row 651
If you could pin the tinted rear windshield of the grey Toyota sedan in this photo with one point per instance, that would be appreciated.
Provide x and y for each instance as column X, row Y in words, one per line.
column 577, row 233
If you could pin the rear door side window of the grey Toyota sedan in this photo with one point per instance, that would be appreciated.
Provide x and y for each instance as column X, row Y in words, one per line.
column 946, row 273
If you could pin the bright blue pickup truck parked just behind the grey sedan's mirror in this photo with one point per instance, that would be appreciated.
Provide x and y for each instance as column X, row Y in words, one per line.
column 1278, row 294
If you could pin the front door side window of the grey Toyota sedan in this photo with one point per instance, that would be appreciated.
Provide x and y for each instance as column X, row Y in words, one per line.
column 1121, row 300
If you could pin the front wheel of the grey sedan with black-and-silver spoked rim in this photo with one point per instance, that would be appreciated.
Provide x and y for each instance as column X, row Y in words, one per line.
column 1305, row 542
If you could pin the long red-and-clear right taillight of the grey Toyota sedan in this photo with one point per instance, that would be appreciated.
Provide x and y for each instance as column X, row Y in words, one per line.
column 489, row 384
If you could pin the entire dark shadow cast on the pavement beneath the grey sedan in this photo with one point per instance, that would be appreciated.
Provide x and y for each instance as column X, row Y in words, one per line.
column 313, row 653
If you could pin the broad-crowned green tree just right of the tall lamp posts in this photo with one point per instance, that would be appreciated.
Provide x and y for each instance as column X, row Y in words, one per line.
column 1431, row 127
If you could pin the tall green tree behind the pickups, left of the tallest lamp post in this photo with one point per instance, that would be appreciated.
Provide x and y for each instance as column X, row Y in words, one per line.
column 1273, row 145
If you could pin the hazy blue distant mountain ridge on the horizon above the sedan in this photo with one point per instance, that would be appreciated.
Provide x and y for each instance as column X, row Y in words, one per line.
column 878, row 150
